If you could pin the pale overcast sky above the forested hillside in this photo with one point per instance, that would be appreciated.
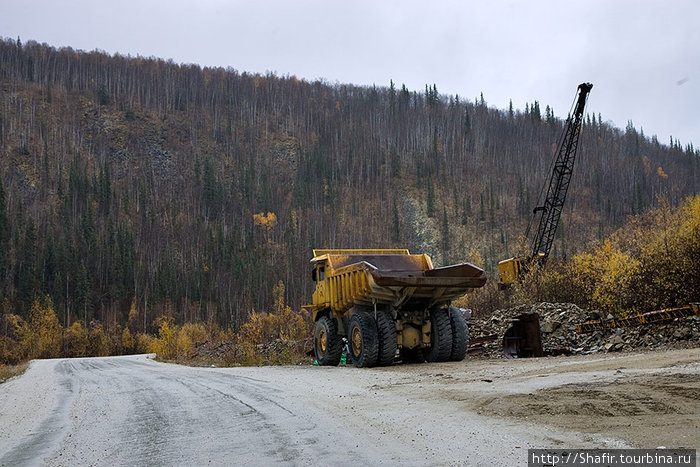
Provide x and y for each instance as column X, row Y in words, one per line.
column 642, row 56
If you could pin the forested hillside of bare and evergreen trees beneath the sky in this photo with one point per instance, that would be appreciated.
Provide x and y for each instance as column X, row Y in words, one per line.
column 192, row 192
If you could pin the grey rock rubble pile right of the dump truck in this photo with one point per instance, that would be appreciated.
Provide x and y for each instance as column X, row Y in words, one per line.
column 558, row 334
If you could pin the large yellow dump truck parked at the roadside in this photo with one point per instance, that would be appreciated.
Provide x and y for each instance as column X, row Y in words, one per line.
column 381, row 301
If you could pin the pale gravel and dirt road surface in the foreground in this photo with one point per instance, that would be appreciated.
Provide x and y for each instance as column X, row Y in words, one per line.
column 135, row 411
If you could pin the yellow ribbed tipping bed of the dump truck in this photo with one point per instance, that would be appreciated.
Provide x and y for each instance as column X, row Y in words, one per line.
column 390, row 277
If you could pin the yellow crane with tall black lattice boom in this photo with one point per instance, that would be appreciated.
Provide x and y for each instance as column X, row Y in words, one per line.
column 513, row 269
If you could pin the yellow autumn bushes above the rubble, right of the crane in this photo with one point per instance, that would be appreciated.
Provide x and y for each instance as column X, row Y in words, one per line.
column 652, row 263
